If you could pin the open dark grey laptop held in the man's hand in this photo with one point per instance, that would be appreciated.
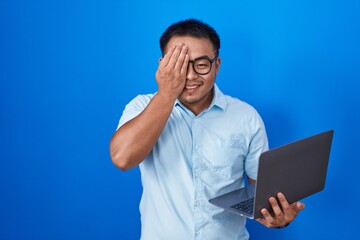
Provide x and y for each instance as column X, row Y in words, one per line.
column 297, row 169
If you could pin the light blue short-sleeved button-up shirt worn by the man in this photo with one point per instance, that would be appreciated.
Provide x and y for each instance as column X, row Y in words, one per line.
column 197, row 158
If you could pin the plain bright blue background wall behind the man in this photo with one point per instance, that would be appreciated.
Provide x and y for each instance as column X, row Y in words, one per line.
column 67, row 69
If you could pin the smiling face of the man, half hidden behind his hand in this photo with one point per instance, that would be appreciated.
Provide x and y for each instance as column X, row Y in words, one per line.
column 198, row 91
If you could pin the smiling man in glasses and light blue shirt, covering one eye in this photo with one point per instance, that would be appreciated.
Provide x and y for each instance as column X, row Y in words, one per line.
column 192, row 143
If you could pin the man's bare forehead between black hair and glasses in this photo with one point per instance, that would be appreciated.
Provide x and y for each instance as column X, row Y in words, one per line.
column 197, row 46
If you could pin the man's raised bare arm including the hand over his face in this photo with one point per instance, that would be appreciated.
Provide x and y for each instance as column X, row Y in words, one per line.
column 134, row 140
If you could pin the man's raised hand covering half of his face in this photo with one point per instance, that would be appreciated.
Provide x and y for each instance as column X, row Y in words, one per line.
column 171, row 73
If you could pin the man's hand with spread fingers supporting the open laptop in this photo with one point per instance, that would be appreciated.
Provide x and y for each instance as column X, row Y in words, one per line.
column 281, row 215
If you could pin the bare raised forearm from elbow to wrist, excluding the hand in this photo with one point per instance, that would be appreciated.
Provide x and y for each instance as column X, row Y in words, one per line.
column 133, row 141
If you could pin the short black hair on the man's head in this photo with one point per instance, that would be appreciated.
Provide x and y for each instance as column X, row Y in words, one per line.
column 193, row 28
